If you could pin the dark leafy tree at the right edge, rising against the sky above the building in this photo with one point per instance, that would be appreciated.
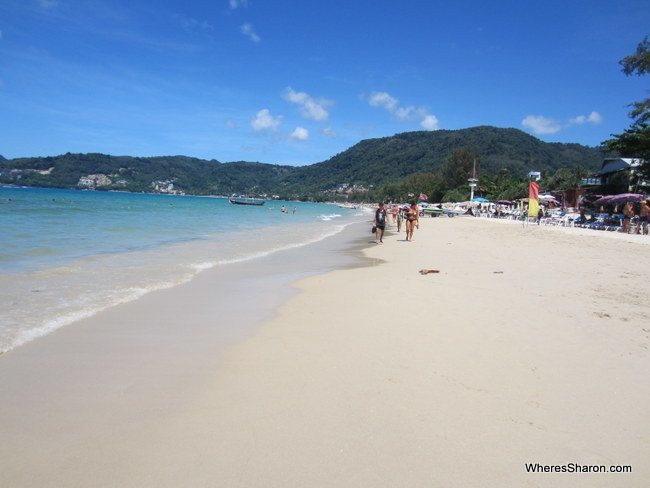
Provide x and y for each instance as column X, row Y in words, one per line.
column 635, row 141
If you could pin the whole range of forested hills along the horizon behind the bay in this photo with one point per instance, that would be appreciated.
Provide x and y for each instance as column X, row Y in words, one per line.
column 370, row 162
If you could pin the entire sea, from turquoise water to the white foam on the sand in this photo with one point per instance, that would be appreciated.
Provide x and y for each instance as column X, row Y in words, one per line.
column 66, row 254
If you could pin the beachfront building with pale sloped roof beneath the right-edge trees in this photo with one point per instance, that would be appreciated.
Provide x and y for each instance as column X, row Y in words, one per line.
column 617, row 175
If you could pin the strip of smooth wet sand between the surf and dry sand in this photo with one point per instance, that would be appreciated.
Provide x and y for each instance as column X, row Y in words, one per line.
column 135, row 365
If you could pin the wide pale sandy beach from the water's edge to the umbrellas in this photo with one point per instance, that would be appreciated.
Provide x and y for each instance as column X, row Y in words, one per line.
column 530, row 346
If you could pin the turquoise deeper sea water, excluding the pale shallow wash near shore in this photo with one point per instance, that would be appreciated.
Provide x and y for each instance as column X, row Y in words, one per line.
column 40, row 227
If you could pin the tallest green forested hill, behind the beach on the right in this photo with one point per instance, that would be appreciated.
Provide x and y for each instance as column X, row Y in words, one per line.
column 375, row 161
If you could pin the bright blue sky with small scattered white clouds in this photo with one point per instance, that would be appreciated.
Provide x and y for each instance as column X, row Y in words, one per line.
column 296, row 82
